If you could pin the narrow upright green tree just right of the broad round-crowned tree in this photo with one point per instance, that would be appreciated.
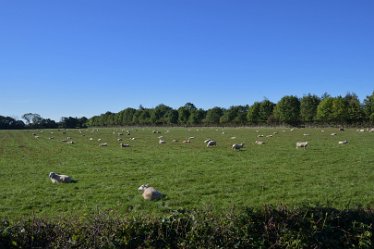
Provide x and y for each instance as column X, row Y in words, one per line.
column 308, row 108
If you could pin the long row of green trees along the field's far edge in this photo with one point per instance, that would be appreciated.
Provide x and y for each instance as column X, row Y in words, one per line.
column 289, row 110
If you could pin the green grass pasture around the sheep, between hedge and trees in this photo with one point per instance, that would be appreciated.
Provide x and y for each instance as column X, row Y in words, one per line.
column 191, row 175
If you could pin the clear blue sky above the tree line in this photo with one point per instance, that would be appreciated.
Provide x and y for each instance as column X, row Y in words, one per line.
column 85, row 57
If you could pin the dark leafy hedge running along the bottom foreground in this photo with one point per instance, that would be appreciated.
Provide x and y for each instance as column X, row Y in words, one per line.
column 266, row 228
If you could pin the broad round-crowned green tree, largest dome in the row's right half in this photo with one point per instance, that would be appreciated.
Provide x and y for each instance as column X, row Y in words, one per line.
column 287, row 110
